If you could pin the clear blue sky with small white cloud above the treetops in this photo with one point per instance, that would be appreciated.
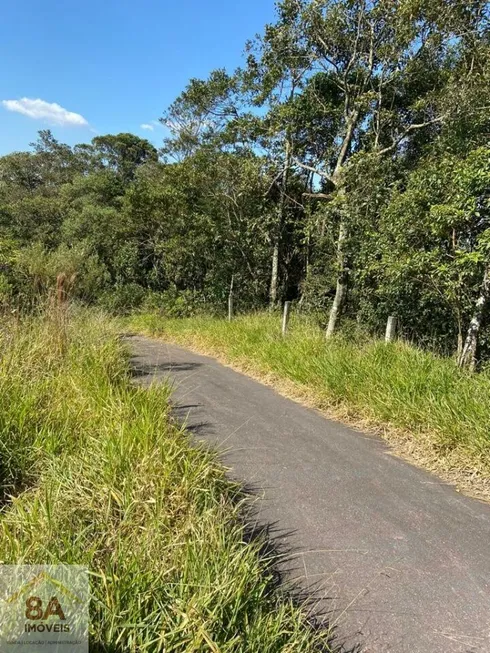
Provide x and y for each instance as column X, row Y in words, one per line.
column 111, row 65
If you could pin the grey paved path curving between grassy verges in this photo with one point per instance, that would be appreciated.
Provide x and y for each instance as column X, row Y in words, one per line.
column 400, row 561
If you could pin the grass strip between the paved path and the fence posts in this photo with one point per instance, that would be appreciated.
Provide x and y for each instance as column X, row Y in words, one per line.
column 433, row 413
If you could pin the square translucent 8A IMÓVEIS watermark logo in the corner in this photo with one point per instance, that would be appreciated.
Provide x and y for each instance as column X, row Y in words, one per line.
column 44, row 608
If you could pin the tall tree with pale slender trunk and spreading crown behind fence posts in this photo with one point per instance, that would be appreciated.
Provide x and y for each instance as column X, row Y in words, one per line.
column 390, row 63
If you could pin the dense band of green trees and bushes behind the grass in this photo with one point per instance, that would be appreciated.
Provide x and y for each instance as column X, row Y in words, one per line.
column 345, row 166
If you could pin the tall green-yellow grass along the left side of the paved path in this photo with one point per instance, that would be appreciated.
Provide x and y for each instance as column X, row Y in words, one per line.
column 95, row 473
